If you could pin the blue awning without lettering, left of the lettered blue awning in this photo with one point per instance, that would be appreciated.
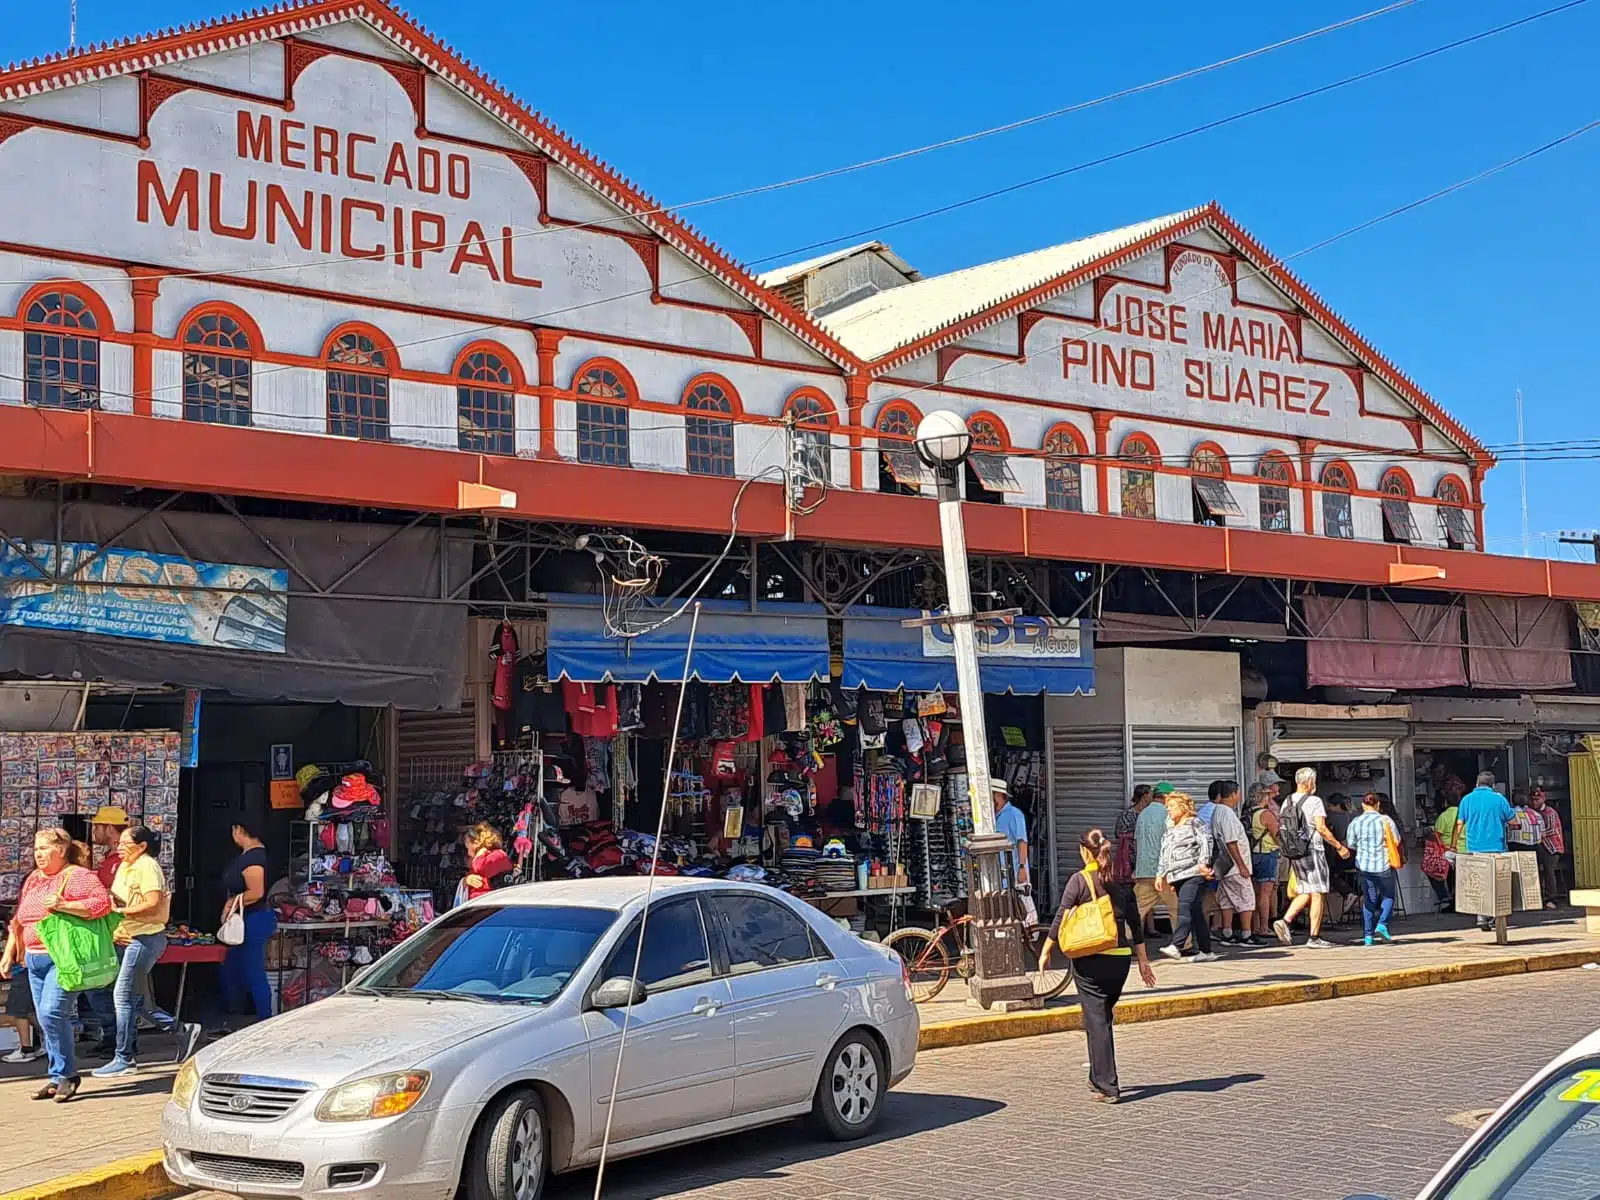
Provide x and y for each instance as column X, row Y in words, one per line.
column 775, row 642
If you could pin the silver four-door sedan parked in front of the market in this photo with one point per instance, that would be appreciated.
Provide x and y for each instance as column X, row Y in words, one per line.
column 484, row 1052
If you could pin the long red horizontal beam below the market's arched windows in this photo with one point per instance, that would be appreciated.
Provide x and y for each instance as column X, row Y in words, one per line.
column 145, row 452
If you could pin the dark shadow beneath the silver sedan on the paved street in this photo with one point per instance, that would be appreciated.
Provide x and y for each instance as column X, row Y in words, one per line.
column 767, row 1154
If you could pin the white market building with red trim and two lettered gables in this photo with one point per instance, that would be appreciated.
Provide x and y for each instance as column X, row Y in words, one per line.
column 330, row 374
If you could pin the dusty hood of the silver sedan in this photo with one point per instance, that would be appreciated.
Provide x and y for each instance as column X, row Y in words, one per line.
column 350, row 1038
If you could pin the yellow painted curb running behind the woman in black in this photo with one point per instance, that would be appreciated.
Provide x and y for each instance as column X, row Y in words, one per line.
column 1004, row 1026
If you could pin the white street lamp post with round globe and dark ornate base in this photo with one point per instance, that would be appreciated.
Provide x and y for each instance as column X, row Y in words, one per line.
column 999, row 945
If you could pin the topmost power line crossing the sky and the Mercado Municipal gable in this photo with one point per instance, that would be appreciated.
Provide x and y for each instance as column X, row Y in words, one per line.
column 862, row 166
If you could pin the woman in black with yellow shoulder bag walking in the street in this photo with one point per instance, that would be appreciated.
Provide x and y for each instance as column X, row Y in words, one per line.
column 1103, row 974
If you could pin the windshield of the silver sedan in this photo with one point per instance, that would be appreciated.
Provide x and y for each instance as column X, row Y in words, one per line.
column 497, row 954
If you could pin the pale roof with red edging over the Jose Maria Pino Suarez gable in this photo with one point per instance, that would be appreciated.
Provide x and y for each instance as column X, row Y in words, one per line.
column 902, row 324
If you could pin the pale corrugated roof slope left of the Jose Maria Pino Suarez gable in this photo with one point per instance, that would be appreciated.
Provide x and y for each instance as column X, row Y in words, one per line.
column 900, row 316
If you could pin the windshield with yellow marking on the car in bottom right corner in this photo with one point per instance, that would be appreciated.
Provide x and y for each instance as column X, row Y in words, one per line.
column 1546, row 1150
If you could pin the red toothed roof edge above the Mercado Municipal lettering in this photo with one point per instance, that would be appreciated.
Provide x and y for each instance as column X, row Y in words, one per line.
column 150, row 52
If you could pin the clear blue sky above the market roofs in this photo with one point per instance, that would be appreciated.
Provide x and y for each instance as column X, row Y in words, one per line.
column 1474, row 297
